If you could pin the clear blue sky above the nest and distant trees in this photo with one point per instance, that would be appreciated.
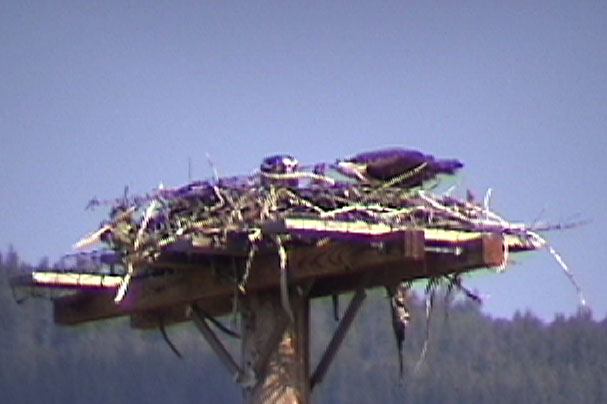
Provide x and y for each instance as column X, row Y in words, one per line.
column 98, row 95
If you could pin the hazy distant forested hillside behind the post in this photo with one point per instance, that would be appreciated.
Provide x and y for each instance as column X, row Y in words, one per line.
column 471, row 357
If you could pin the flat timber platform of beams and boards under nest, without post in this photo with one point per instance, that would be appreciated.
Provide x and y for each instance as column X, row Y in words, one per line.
column 196, row 274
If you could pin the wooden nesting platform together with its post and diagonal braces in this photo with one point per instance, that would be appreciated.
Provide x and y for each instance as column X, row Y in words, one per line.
column 192, row 280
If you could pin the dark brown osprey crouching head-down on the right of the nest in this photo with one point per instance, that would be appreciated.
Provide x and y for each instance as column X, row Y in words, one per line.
column 397, row 166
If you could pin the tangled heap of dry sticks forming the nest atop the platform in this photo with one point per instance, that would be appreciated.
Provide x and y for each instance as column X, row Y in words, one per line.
column 140, row 228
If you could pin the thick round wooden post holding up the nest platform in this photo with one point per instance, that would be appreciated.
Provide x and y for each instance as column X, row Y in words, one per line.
column 275, row 351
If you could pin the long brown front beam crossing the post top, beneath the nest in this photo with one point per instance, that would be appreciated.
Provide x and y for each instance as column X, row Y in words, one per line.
column 196, row 280
